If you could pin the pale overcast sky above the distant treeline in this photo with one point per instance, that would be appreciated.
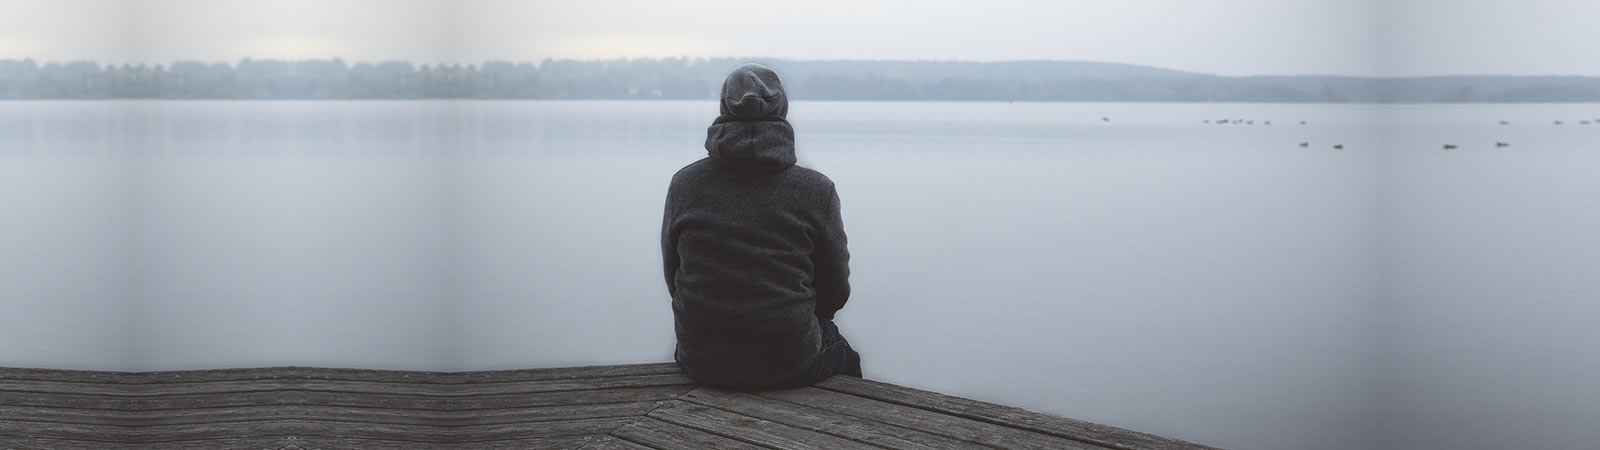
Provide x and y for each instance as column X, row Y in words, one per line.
column 1231, row 38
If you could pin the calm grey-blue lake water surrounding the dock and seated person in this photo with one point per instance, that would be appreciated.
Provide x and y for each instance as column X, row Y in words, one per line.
column 1134, row 265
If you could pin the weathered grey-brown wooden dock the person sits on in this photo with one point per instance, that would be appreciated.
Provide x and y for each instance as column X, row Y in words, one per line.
column 649, row 406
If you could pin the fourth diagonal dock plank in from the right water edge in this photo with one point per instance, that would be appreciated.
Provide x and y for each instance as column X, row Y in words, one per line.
column 750, row 430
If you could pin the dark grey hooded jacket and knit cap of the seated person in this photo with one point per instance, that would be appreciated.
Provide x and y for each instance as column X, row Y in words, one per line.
column 753, row 246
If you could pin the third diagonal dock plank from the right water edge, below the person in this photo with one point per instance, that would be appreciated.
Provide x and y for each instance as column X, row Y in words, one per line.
column 854, row 428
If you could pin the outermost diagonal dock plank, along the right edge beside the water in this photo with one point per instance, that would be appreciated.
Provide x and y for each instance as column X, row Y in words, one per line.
column 1012, row 417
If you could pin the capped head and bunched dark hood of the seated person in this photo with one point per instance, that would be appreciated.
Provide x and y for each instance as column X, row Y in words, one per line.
column 753, row 135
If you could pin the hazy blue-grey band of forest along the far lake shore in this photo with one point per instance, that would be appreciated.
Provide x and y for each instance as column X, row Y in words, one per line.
column 700, row 79
